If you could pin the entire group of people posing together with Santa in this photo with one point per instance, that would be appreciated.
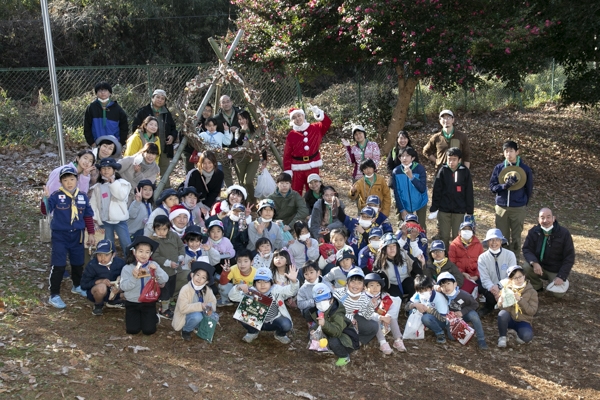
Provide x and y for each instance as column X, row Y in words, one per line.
column 346, row 275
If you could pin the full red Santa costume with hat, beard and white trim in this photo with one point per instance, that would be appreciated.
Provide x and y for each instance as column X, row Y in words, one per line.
column 301, row 156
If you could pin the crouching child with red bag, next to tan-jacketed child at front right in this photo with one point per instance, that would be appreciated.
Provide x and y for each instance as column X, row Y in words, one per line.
column 463, row 305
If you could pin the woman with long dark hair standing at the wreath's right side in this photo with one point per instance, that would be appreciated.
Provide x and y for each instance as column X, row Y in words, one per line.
column 248, row 155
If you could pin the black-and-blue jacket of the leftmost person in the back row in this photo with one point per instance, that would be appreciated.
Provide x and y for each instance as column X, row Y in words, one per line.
column 96, row 125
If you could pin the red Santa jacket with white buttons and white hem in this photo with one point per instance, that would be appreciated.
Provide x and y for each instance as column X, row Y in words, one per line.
column 301, row 151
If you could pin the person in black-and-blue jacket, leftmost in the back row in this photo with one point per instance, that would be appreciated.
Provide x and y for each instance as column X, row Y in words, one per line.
column 104, row 116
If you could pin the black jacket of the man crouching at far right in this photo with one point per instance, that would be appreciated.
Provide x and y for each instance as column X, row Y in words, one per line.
column 559, row 255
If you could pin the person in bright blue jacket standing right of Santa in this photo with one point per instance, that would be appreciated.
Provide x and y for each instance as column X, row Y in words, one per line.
column 409, row 182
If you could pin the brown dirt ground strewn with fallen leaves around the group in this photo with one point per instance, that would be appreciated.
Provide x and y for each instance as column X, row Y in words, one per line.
column 52, row 354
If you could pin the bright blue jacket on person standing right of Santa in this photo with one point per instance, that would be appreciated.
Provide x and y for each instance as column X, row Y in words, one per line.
column 410, row 194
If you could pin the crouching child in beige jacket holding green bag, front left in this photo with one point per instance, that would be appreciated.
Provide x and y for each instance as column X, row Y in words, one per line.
column 194, row 299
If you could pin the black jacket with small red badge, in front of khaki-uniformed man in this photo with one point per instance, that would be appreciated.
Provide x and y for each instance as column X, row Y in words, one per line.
column 453, row 191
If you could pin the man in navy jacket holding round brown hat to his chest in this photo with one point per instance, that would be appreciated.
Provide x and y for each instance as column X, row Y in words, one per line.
column 512, row 183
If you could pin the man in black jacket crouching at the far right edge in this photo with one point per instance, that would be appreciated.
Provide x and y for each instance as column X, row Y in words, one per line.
column 550, row 254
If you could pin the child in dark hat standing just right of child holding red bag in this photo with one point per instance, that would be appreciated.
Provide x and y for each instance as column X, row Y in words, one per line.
column 169, row 255
